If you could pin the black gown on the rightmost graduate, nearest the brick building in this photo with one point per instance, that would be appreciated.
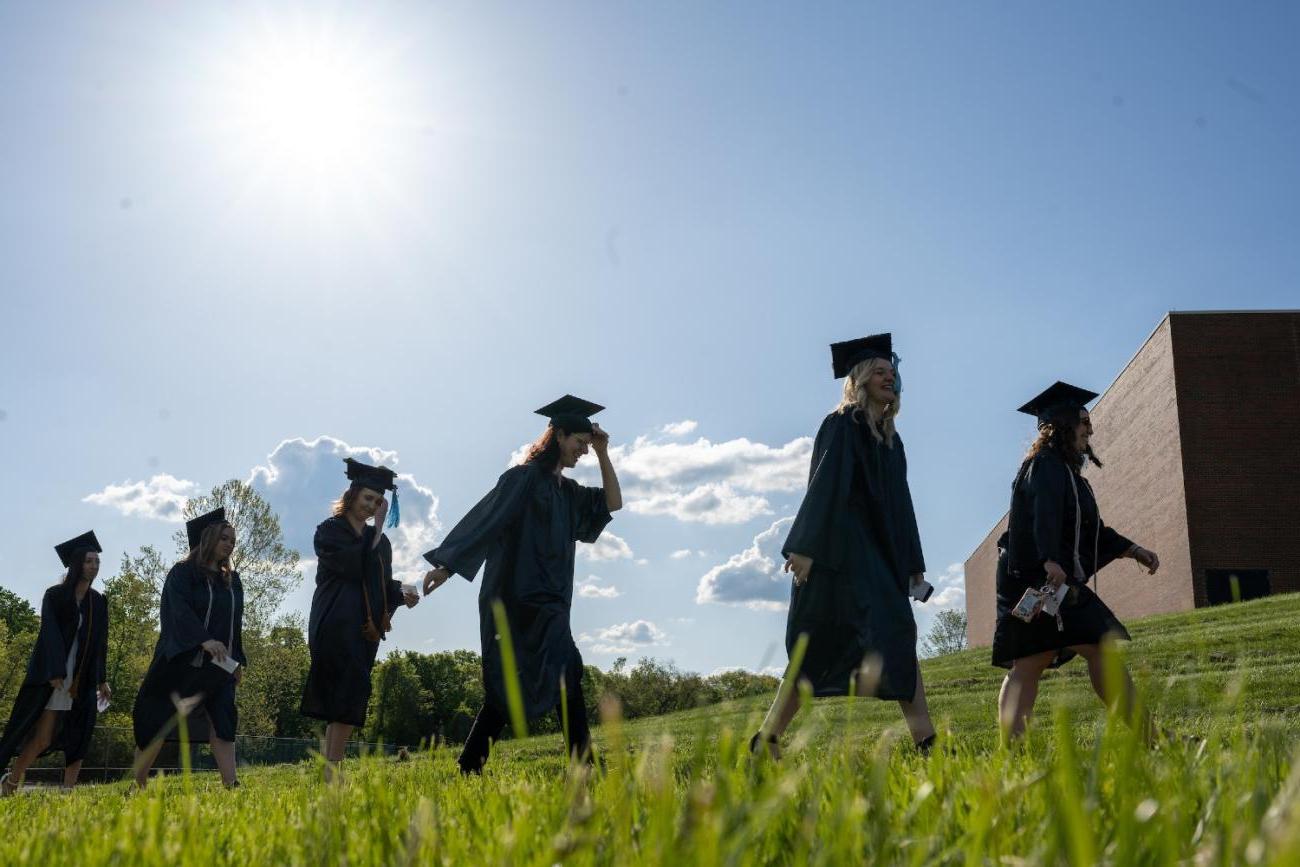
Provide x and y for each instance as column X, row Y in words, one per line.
column 1042, row 527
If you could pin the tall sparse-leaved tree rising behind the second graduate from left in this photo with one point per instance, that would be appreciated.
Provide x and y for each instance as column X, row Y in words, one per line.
column 267, row 567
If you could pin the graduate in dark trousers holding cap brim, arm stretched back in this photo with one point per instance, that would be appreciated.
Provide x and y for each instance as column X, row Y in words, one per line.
column 526, row 530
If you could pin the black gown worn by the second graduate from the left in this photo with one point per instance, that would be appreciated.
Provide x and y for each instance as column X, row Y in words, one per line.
column 187, row 597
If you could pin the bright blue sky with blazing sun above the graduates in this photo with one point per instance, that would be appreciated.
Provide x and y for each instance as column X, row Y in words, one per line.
column 241, row 236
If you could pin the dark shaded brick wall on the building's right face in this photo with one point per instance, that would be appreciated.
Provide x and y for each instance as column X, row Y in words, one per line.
column 1240, row 411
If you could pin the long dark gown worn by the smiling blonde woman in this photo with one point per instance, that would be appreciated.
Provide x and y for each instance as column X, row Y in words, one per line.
column 859, row 524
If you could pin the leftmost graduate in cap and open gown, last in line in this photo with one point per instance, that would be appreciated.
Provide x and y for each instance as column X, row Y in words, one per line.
column 58, row 704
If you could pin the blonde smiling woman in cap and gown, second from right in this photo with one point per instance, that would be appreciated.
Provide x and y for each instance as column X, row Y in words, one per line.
column 855, row 553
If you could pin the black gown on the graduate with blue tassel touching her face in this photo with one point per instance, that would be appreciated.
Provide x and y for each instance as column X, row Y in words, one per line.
column 339, row 684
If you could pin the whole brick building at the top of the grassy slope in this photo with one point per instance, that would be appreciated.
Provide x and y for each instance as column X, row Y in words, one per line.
column 1201, row 437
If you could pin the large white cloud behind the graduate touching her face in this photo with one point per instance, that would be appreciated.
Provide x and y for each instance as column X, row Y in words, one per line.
column 302, row 479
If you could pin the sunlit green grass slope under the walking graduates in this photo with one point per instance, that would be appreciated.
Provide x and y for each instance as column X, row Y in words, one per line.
column 681, row 790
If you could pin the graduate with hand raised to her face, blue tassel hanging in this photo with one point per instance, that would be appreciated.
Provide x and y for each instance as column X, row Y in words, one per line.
column 353, row 605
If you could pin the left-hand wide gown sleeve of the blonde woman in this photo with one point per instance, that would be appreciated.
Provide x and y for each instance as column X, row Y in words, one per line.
column 830, row 479
